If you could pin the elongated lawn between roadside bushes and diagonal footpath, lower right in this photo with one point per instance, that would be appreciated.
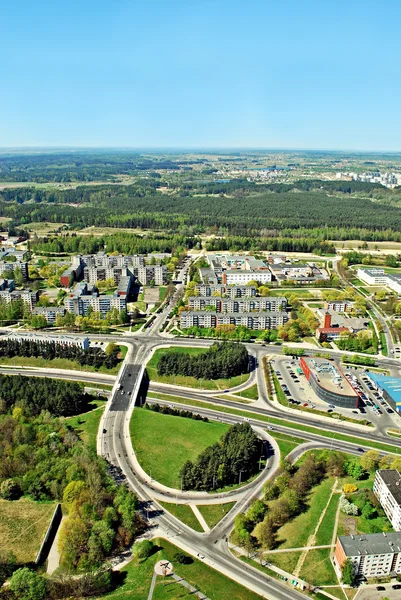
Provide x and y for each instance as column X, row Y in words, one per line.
column 295, row 533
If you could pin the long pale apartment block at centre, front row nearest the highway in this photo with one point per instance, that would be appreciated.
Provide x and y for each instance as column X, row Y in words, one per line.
column 257, row 320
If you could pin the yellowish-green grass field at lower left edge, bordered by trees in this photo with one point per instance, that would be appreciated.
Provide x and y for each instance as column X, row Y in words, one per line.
column 23, row 524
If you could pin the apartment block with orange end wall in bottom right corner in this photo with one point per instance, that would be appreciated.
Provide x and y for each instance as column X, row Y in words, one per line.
column 372, row 555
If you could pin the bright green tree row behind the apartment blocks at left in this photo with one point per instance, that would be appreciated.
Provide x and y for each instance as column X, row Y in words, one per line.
column 124, row 243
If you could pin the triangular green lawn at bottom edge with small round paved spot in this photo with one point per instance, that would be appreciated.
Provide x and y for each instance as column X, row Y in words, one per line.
column 210, row 582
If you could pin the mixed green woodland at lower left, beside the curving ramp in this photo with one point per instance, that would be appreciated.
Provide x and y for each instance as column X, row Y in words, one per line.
column 42, row 458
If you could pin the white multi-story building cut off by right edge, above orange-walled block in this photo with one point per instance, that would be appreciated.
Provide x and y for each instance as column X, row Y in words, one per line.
column 387, row 489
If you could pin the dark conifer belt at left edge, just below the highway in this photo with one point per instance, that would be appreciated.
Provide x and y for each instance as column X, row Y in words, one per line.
column 34, row 394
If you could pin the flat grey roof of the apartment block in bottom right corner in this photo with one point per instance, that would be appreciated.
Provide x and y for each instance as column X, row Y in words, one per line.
column 374, row 543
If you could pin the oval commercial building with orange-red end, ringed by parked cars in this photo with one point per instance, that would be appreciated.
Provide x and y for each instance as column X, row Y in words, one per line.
column 329, row 383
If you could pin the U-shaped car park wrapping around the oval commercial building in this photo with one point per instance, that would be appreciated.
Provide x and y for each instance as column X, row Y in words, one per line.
column 298, row 392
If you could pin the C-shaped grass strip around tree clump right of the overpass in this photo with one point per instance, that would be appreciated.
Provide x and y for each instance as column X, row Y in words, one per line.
column 206, row 384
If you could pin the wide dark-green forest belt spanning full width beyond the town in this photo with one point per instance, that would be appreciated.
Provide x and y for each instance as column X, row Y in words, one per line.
column 331, row 210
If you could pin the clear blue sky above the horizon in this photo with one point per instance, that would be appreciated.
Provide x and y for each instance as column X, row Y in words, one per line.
column 201, row 74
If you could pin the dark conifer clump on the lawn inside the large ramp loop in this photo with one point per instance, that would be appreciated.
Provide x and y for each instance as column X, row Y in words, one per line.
column 235, row 455
